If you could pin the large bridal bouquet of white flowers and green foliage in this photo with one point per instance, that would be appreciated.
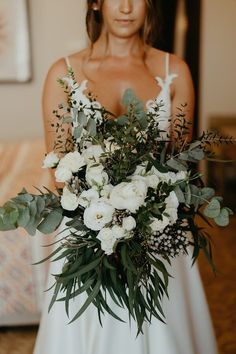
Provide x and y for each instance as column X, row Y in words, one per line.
column 131, row 193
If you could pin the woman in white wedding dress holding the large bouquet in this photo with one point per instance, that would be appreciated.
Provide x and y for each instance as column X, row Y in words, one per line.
column 121, row 57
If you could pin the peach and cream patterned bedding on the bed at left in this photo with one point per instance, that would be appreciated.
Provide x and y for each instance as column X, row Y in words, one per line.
column 21, row 283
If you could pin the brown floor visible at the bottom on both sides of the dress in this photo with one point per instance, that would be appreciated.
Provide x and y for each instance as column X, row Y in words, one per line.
column 220, row 290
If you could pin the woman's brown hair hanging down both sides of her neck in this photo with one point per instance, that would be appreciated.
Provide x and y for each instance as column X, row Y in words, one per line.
column 149, row 32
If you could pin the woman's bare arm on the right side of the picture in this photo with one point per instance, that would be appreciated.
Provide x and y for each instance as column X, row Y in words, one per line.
column 183, row 90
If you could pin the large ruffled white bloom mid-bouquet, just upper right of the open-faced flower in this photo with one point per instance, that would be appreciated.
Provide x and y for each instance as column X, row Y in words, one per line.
column 129, row 195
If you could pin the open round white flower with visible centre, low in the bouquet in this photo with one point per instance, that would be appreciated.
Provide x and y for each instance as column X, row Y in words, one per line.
column 98, row 214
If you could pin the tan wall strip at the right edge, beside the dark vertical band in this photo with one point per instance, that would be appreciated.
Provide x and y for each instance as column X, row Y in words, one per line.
column 218, row 60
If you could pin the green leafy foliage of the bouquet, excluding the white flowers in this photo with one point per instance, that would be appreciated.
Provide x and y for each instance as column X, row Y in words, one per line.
column 135, row 277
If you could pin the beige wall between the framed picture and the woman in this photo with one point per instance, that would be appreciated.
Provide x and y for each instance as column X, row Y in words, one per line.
column 57, row 29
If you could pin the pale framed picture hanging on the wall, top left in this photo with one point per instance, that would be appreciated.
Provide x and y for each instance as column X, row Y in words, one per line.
column 15, row 54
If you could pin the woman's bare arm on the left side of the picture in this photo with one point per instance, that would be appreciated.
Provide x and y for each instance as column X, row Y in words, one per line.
column 53, row 95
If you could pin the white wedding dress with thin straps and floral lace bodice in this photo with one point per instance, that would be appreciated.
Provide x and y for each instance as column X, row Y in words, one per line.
column 188, row 329
